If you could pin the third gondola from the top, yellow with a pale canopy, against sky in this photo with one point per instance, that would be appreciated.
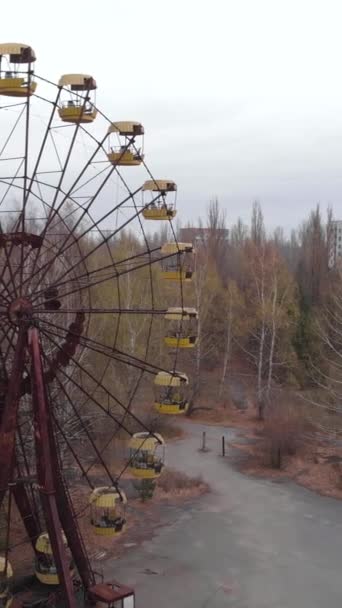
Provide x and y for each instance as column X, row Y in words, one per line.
column 125, row 154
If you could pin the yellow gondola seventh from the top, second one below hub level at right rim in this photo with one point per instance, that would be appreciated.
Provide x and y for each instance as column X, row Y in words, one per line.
column 170, row 393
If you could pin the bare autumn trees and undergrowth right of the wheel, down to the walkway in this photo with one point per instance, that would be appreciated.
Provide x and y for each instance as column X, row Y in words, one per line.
column 271, row 302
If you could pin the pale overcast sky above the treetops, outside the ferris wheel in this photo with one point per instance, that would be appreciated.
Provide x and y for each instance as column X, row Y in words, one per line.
column 240, row 99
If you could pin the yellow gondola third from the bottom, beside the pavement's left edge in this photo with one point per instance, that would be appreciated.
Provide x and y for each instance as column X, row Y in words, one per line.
column 107, row 511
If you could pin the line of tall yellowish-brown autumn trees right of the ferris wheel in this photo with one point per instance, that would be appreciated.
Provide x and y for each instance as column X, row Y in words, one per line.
column 270, row 299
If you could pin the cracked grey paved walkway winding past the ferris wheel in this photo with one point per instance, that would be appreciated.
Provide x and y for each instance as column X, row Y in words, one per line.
column 248, row 544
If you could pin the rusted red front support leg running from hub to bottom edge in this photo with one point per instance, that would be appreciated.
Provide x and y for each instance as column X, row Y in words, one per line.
column 45, row 470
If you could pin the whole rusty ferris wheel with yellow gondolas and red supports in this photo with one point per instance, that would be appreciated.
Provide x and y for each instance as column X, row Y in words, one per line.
column 83, row 315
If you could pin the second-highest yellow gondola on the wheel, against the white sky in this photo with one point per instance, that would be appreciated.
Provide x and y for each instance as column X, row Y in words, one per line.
column 77, row 105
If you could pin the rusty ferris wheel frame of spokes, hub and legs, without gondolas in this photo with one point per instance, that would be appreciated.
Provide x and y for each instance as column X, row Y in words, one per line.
column 50, row 211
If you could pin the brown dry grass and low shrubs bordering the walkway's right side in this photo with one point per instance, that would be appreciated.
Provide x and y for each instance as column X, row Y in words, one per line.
column 295, row 442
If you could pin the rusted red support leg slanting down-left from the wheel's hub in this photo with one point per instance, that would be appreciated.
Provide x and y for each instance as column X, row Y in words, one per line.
column 10, row 414
